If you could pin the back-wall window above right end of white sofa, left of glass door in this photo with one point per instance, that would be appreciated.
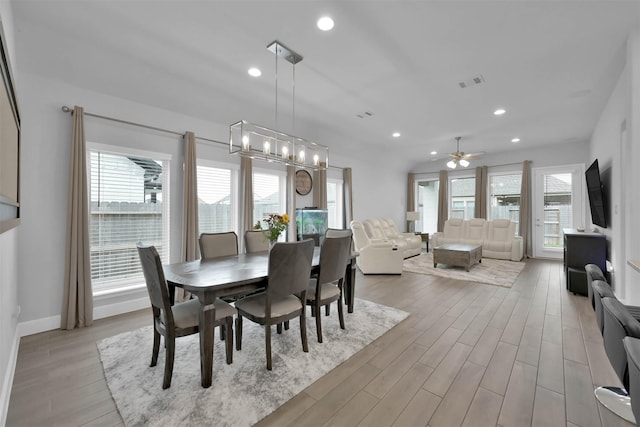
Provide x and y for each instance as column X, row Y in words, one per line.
column 504, row 197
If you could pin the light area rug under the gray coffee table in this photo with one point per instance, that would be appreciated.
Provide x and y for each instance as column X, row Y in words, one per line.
column 492, row 271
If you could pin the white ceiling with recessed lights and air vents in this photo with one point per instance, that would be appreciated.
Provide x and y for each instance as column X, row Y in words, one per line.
column 550, row 64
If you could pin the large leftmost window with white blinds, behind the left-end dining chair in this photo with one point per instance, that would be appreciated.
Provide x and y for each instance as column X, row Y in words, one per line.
column 128, row 204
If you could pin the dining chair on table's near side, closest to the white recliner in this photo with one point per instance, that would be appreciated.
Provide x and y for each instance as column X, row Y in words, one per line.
column 327, row 287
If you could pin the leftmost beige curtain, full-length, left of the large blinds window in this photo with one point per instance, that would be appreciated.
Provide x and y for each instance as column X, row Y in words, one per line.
column 77, row 303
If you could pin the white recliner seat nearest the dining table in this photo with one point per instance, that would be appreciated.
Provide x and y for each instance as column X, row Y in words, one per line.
column 376, row 256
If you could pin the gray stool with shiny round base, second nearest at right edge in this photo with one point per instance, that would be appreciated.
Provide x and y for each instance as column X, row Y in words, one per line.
column 618, row 324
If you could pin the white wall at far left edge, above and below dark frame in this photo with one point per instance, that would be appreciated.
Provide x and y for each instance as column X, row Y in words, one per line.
column 9, row 310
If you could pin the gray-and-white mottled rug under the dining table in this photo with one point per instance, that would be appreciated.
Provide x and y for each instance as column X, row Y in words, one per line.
column 244, row 392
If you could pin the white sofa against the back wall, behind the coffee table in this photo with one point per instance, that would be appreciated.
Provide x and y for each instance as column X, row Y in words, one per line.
column 497, row 237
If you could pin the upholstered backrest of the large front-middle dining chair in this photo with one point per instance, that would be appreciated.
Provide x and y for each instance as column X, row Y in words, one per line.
column 290, row 267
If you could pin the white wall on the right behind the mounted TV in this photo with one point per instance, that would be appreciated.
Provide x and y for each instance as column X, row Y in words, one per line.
column 616, row 141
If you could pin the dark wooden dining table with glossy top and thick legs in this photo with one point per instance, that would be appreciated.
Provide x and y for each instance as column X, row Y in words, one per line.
column 235, row 275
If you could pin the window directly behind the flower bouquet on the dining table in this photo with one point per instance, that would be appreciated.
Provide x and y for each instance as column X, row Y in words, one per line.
column 268, row 195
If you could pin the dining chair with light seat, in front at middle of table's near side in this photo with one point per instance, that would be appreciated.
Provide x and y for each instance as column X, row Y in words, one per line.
column 285, row 295
